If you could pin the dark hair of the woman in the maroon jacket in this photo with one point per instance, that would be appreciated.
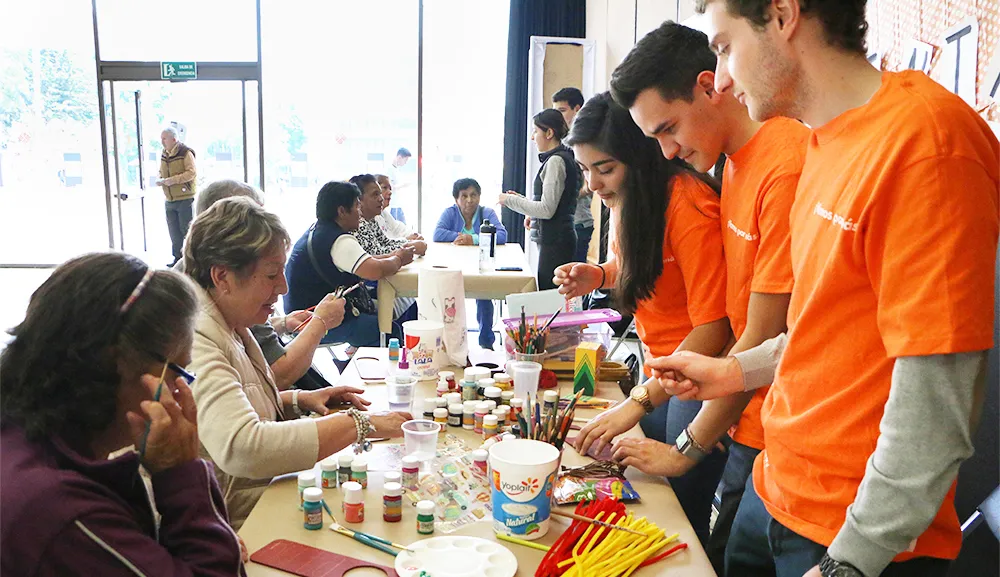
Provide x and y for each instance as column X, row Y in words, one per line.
column 74, row 349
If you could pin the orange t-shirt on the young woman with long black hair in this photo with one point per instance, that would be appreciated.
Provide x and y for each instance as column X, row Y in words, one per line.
column 691, row 290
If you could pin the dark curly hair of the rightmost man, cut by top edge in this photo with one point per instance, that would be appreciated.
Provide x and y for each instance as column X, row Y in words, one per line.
column 843, row 20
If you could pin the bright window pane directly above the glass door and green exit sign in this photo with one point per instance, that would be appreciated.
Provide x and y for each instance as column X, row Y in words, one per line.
column 153, row 30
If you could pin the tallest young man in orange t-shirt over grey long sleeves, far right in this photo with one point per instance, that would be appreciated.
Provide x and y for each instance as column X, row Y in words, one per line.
column 893, row 240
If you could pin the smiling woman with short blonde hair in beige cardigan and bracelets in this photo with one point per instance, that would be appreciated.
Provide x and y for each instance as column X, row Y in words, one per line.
column 235, row 252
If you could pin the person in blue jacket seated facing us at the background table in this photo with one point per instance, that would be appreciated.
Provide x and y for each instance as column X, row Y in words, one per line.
column 459, row 224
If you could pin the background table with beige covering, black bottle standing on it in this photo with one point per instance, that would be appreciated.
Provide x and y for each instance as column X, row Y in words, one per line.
column 488, row 285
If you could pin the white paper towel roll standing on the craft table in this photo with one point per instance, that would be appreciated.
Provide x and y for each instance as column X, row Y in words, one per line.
column 441, row 297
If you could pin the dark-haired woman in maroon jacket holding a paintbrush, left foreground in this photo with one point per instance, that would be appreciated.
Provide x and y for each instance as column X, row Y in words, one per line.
column 93, row 370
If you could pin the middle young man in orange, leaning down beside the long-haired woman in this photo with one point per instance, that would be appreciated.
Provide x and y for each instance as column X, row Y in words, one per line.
column 668, row 83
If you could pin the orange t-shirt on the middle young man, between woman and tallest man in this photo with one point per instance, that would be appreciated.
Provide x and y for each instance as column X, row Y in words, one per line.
column 758, row 188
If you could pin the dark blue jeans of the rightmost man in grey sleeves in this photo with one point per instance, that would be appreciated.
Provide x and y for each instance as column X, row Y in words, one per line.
column 759, row 546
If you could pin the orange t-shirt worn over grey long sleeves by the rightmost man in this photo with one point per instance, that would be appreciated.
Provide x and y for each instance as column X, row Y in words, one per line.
column 894, row 235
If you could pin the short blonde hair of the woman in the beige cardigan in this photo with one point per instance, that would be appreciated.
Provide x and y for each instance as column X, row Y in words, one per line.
column 235, row 233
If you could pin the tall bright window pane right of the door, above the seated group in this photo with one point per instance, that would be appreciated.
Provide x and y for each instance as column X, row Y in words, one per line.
column 340, row 98
